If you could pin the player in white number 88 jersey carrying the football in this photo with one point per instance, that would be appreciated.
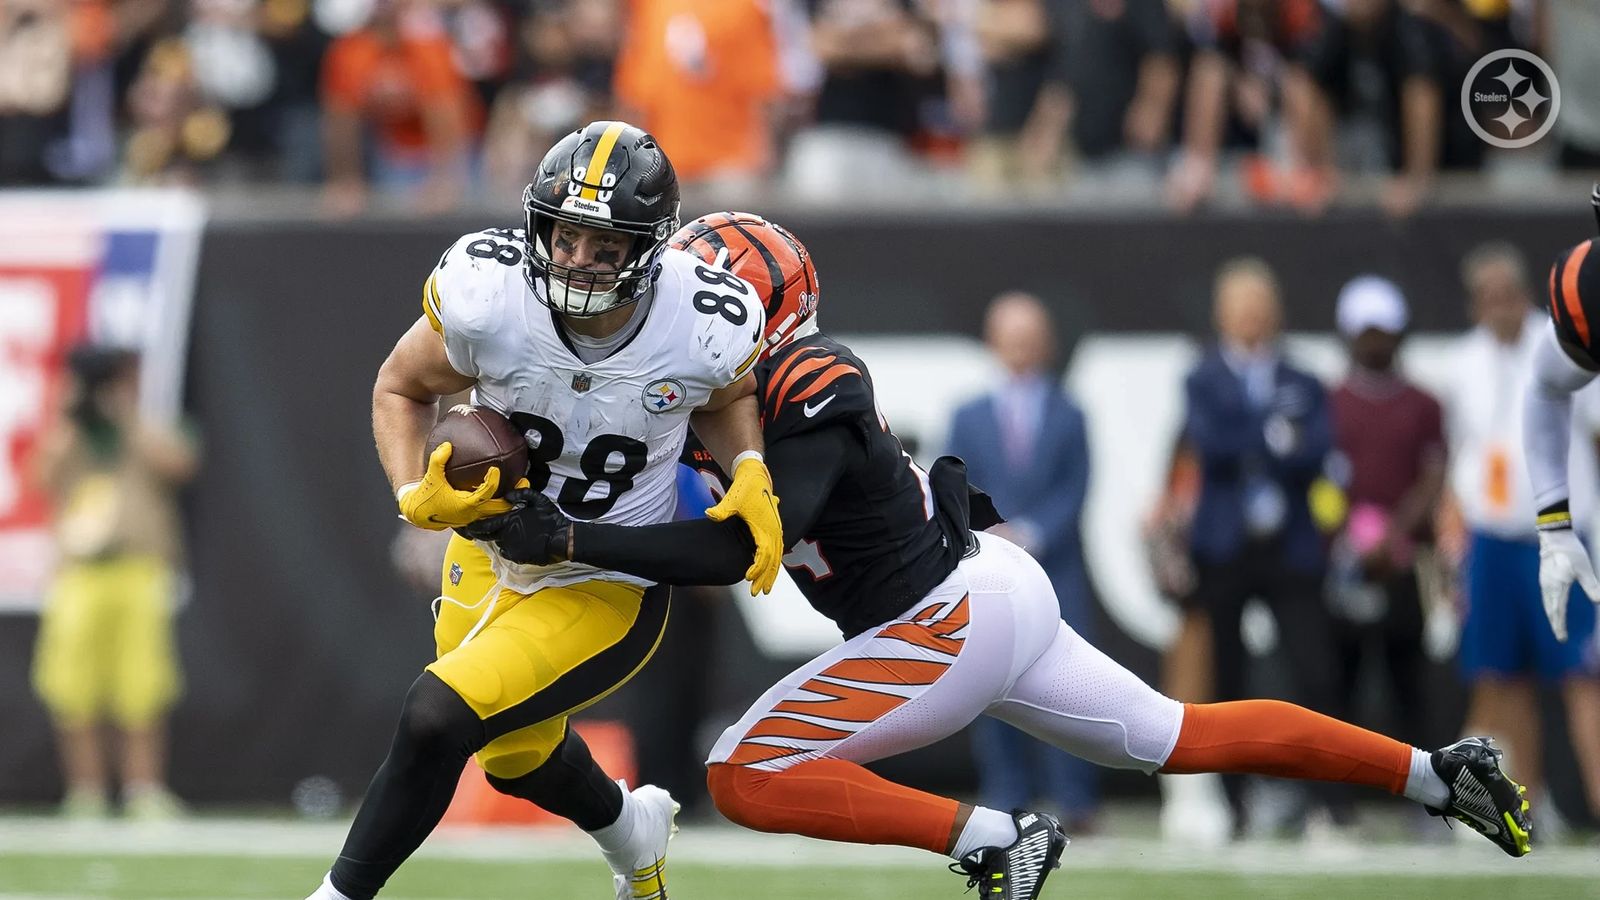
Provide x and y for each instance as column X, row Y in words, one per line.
column 602, row 345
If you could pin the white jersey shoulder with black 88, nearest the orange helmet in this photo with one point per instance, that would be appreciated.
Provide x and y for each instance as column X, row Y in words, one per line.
column 729, row 319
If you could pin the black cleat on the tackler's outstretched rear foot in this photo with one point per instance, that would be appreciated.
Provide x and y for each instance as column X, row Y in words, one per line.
column 1484, row 797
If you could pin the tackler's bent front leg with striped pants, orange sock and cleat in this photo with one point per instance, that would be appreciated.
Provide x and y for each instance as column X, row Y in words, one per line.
column 794, row 763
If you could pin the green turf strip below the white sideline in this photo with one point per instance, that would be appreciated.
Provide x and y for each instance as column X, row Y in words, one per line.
column 150, row 878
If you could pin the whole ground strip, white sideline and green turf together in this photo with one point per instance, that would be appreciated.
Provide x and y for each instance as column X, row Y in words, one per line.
column 238, row 859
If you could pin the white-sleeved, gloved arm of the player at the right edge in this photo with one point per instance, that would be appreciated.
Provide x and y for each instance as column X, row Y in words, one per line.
column 1546, row 435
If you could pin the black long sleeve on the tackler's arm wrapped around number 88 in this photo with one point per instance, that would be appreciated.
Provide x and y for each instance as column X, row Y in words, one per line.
column 804, row 467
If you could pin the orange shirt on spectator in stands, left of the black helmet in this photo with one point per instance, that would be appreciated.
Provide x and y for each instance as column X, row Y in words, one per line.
column 393, row 82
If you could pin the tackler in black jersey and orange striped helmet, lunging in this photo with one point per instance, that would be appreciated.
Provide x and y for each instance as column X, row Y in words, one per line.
column 942, row 625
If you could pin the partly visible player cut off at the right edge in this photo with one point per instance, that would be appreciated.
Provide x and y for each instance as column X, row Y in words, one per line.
column 1566, row 361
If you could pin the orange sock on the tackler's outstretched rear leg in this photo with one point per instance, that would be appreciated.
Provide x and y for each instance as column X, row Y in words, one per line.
column 1268, row 737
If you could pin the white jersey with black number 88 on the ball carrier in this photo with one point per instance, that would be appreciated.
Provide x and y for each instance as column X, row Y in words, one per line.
column 604, row 438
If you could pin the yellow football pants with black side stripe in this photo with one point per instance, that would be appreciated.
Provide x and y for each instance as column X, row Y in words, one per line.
column 527, row 662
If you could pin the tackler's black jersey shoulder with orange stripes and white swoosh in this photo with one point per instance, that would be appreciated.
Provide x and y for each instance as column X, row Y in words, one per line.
column 810, row 385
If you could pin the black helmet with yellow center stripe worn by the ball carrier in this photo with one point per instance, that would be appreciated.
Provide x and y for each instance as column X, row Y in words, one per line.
column 599, row 215
